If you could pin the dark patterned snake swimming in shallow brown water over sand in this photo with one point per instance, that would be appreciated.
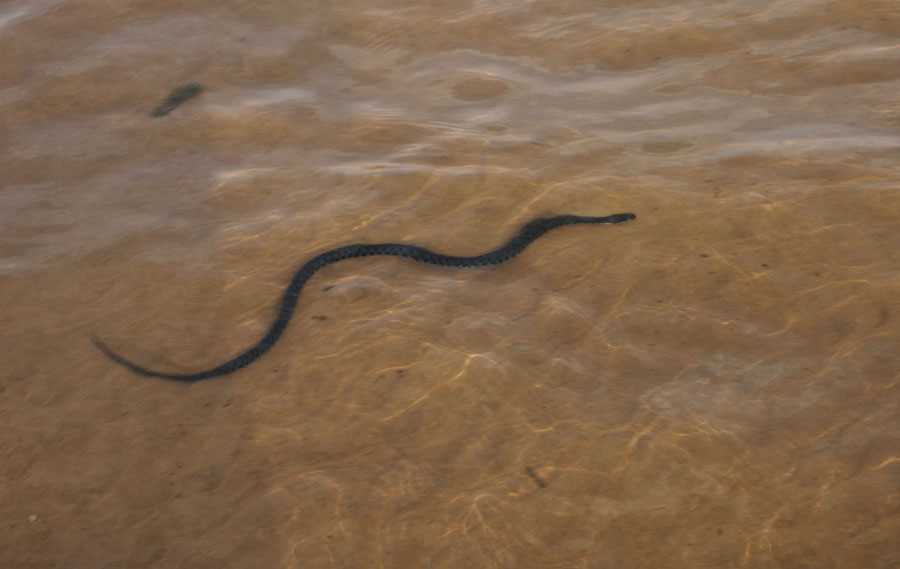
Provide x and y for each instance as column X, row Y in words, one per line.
column 526, row 235
